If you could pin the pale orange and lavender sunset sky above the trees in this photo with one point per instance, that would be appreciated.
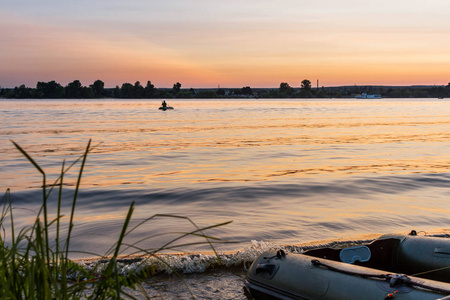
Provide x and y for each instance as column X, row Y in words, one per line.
column 233, row 43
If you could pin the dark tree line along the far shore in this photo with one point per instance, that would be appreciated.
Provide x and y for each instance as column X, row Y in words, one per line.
column 75, row 90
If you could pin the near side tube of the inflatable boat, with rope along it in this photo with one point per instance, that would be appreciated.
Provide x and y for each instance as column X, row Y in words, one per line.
column 299, row 276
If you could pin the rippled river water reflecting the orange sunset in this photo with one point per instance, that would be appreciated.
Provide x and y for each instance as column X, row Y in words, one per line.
column 284, row 171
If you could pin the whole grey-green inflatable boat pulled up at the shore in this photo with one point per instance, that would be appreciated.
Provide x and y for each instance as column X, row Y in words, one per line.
column 396, row 266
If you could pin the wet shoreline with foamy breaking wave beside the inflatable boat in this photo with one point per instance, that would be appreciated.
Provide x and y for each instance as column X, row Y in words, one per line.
column 201, row 276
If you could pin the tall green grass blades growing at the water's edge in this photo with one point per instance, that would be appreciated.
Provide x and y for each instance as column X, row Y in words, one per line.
column 30, row 268
